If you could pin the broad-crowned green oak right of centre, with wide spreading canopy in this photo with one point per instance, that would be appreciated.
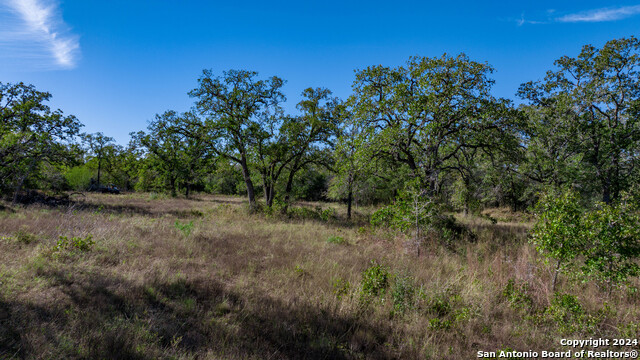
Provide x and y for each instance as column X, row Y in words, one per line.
column 426, row 114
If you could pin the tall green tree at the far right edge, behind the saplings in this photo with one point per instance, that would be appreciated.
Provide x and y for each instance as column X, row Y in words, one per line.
column 585, row 113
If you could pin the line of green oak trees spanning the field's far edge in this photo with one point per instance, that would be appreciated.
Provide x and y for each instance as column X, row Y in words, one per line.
column 432, row 123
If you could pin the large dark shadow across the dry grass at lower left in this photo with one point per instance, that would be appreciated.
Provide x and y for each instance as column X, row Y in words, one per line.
column 98, row 316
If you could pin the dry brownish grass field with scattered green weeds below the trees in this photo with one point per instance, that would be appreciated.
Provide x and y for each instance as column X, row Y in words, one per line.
column 143, row 276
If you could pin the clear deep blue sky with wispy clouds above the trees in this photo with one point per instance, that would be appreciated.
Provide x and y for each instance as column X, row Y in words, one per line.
column 115, row 64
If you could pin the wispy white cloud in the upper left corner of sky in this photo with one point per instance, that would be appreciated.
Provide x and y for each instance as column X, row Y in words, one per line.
column 42, row 27
